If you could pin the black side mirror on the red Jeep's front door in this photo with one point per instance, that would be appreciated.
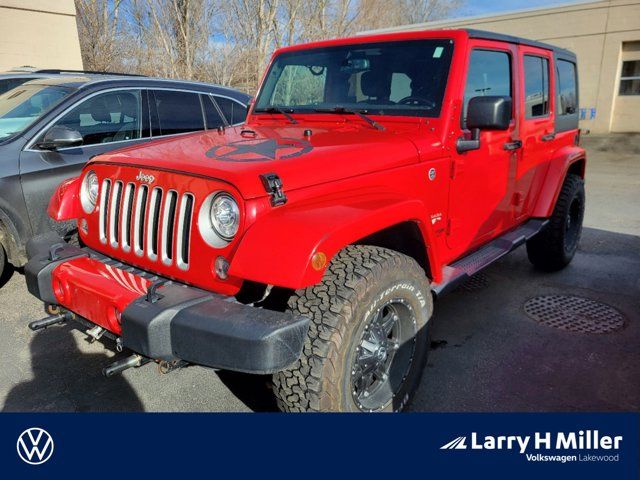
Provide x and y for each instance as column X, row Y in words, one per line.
column 485, row 113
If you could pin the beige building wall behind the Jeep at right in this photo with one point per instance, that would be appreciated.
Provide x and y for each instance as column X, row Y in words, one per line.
column 596, row 32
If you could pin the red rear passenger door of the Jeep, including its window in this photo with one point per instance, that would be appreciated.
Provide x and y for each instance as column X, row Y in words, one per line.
column 536, row 118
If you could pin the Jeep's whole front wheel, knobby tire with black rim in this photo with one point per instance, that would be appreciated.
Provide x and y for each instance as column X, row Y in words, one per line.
column 368, row 337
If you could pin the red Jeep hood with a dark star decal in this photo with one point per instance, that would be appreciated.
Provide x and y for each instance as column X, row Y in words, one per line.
column 241, row 154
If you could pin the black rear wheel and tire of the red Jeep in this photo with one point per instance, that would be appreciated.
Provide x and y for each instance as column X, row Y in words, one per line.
column 554, row 247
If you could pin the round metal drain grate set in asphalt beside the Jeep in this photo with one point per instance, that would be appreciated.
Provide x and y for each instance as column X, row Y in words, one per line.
column 574, row 314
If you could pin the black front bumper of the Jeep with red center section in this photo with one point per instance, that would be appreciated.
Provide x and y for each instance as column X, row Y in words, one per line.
column 160, row 319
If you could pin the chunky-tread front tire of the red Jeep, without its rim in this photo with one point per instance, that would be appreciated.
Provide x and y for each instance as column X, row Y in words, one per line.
column 359, row 279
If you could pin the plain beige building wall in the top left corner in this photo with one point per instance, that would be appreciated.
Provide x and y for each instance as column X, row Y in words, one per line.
column 39, row 33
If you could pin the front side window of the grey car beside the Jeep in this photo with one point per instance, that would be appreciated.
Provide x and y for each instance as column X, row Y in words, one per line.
column 107, row 117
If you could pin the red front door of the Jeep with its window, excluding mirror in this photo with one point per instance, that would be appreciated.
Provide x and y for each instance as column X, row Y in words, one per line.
column 483, row 180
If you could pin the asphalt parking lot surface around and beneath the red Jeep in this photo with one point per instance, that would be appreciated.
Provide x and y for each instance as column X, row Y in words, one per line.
column 487, row 353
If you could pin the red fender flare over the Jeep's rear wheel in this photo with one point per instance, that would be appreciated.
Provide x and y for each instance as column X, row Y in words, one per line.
column 557, row 172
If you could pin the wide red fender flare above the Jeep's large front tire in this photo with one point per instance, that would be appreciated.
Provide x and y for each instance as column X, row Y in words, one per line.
column 278, row 248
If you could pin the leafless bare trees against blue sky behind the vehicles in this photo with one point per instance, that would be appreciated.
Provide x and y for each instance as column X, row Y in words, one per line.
column 226, row 41
